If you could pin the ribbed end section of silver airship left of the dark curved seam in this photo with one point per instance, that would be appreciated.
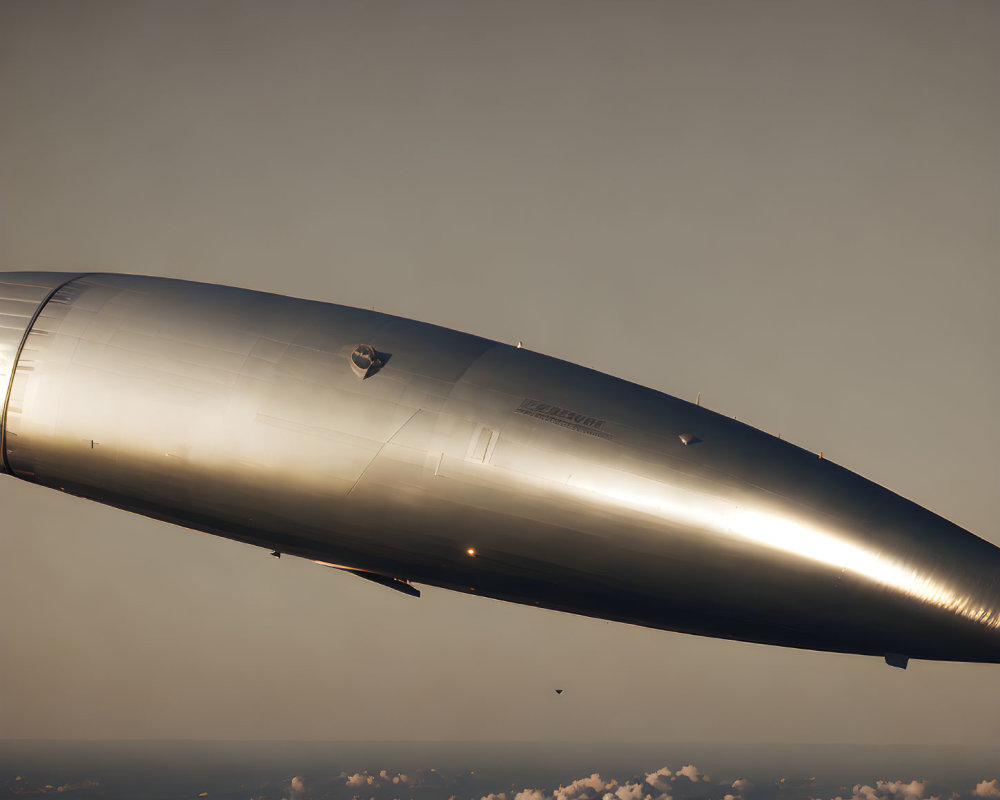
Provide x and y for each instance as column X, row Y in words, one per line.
column 22, row 297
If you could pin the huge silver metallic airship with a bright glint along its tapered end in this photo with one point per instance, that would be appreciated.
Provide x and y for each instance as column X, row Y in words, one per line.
column 409, row 454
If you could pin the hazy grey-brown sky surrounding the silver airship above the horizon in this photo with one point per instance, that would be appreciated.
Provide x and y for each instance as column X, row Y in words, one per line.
column 789, row 207
